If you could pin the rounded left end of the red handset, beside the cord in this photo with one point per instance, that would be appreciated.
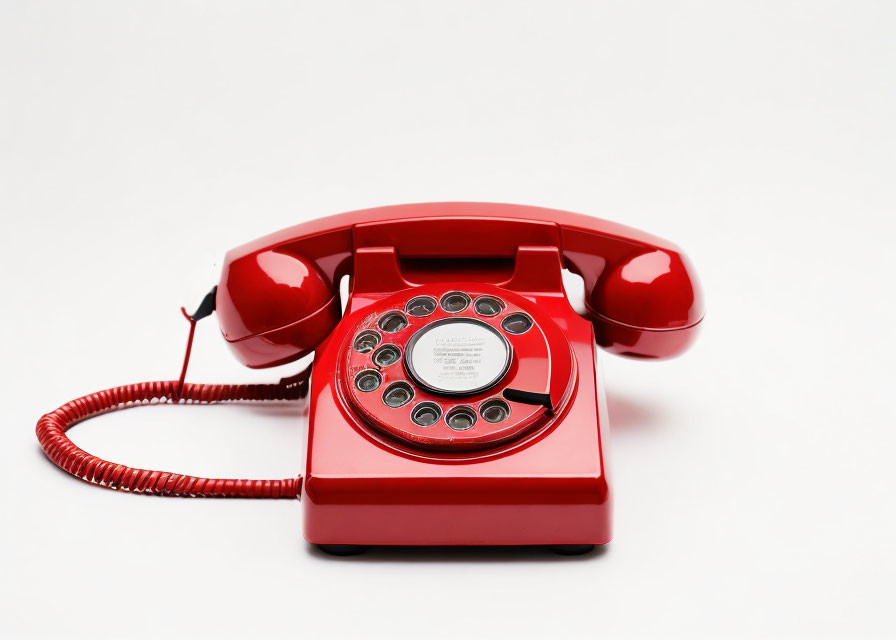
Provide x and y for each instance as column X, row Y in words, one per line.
column 274, row 306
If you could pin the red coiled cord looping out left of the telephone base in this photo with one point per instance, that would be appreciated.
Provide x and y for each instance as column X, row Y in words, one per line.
column 52, row 427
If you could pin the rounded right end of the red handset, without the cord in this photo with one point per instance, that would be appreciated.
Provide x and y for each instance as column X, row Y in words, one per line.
column 647, row 304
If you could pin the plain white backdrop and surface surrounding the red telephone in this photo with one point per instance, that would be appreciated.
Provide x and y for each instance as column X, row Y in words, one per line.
column 753, row 476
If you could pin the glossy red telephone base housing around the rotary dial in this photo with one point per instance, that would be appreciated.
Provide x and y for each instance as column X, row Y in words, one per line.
column 547, row 485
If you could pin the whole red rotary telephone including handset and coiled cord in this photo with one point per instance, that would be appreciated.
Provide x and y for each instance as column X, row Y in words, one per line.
column 456, row 401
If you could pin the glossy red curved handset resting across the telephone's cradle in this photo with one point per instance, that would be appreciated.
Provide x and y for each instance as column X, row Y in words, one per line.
column 642, row 292
